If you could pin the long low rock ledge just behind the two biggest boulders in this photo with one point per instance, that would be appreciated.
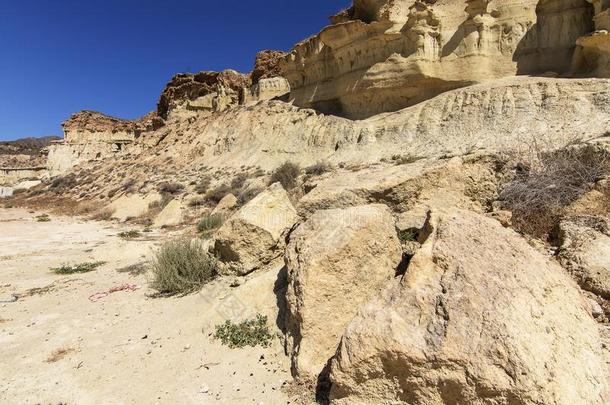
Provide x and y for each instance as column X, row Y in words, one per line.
column 419, row 185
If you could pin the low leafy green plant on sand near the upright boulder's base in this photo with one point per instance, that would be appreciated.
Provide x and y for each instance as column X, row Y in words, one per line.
column 253, row 332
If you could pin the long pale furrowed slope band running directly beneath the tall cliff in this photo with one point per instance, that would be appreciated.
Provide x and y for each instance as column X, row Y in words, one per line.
column 499, row 116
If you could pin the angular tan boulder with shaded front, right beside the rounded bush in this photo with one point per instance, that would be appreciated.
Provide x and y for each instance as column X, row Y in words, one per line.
column 255, row 234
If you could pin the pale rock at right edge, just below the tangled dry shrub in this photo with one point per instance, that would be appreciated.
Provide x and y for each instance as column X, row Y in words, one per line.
column 585, row 251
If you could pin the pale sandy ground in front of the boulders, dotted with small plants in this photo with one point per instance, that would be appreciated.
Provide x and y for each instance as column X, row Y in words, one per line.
column 59, row 346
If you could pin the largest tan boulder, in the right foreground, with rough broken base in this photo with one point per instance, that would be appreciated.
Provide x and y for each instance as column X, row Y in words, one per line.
column 479, row 318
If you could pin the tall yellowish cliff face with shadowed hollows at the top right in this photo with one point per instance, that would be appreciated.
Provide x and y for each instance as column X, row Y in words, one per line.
column 384, row 55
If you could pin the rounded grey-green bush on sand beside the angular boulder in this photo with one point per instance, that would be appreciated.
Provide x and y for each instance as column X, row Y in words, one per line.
column 182, row 266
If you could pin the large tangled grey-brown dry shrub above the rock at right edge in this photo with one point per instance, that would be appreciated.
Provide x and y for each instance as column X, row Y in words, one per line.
column 549, row 182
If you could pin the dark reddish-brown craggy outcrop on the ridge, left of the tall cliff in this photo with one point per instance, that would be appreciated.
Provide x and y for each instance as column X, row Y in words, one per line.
column 207, row 91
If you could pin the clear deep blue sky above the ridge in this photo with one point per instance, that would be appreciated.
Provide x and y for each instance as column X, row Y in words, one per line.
column 115, row 56
